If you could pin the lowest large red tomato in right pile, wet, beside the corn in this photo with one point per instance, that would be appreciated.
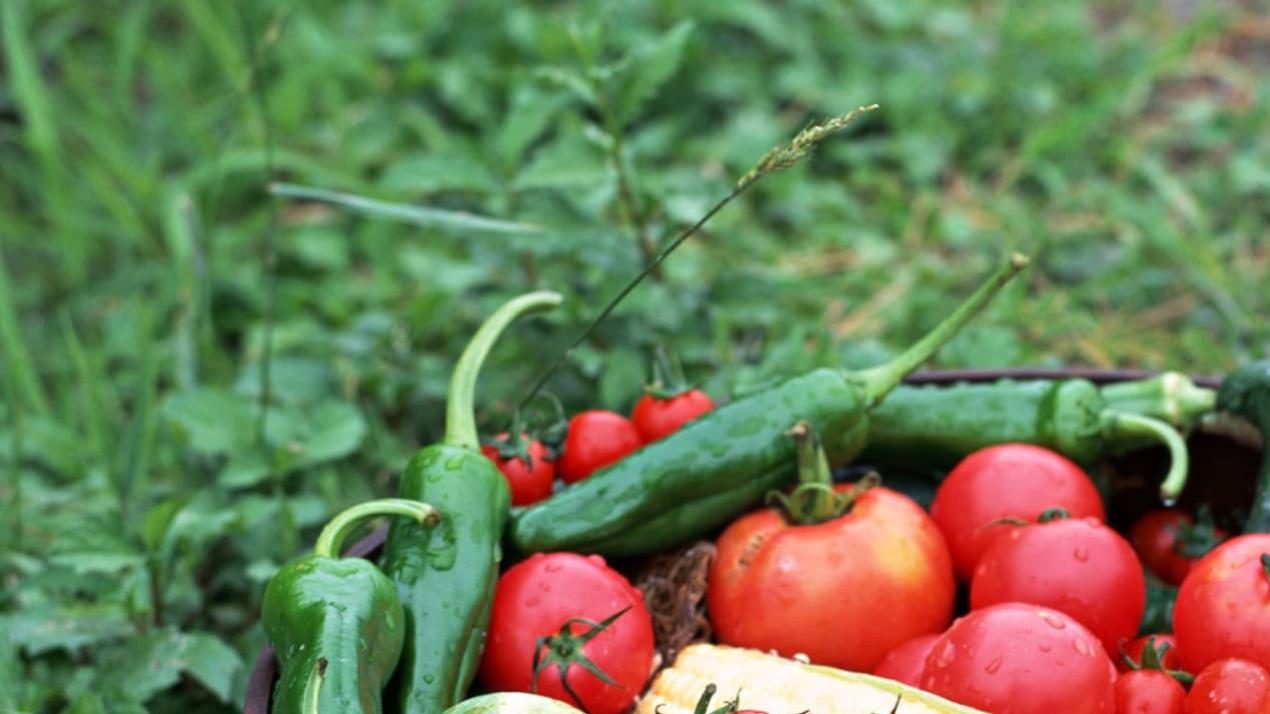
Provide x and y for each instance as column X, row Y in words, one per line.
column 1022, row 660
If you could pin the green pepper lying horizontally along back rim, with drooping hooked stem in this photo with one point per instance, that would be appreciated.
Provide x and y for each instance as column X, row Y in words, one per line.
column 935, row 426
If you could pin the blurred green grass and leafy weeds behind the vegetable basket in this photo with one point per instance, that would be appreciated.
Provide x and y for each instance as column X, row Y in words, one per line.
column 196, row 373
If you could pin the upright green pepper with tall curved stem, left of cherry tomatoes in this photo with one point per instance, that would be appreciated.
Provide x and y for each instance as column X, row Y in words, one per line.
column 446, row 575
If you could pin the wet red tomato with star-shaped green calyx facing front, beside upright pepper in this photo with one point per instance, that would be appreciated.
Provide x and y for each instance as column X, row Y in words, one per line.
column 535, row 599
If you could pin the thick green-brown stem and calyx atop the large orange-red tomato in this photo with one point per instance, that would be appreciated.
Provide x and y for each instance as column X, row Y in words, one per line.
column 815, row 500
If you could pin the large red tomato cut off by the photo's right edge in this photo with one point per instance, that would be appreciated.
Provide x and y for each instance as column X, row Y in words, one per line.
column 1224, row 607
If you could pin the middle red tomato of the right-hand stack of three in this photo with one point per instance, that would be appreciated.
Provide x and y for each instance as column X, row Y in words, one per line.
column 1079, row 567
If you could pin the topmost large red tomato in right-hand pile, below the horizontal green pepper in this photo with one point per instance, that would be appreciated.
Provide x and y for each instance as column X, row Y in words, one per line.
column 1010, row 481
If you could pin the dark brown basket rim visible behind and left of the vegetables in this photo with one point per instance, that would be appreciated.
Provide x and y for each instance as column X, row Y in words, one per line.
column 260, row 687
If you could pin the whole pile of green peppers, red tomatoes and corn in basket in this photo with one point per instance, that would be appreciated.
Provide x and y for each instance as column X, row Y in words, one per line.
column 822, row 595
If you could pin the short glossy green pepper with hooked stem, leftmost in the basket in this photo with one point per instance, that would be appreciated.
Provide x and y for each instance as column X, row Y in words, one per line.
column 336, row 624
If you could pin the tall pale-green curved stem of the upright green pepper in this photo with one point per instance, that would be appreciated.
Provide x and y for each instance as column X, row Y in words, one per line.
column 460, row 405
